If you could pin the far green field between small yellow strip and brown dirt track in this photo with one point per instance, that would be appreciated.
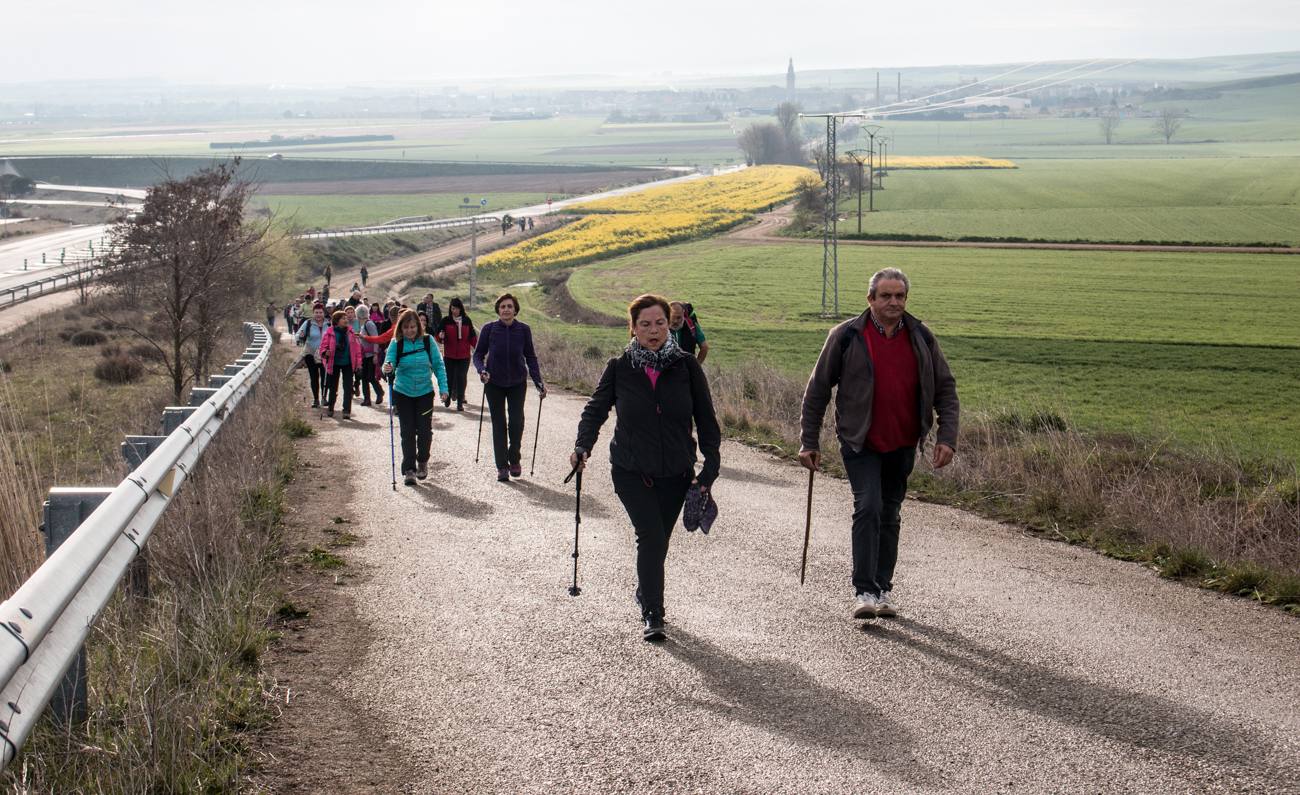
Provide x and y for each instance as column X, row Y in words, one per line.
column 1203, row 201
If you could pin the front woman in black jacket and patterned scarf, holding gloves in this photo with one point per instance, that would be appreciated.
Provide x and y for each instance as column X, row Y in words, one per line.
column 658, row 392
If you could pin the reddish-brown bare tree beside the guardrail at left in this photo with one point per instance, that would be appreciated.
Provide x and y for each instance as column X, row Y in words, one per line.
column 188, row 267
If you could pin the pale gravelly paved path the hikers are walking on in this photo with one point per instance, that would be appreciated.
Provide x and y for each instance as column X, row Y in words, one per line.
column 1020, row 666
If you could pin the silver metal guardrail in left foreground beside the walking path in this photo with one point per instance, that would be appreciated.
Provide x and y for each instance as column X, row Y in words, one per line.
column 46, row 622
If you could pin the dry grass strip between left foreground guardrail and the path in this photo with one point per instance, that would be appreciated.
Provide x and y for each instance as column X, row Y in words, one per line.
column 175, row 681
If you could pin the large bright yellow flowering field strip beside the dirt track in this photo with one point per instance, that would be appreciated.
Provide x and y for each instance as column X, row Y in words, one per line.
column 655, row 218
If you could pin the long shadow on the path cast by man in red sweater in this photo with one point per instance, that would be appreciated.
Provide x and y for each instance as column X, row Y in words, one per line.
column 1134, row 719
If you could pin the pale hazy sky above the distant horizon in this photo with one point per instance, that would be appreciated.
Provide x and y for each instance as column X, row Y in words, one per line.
column 421, row 41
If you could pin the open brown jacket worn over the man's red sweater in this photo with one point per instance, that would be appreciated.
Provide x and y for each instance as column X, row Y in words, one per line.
column 846, row 363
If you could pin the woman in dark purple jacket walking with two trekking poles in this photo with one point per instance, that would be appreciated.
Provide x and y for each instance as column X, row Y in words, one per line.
column 505, row 360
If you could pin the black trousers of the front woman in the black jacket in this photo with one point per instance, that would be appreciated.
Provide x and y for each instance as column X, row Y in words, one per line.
column 653, row 506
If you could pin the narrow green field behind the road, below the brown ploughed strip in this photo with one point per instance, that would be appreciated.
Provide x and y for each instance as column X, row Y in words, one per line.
column 333, row 211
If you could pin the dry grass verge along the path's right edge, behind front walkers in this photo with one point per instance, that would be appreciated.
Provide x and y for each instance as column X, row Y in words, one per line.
column 1202, row 515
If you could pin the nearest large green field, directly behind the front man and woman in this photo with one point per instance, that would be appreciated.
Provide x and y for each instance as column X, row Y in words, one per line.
column 1204, row 347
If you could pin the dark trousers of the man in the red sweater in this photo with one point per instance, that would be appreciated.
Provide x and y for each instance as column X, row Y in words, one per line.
column 879, row 485
